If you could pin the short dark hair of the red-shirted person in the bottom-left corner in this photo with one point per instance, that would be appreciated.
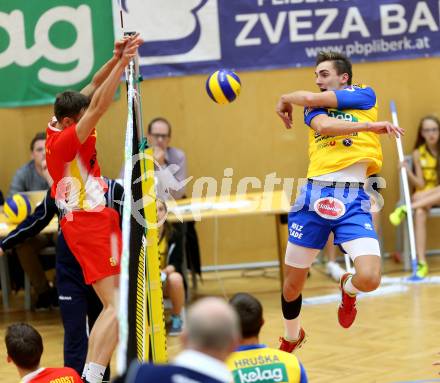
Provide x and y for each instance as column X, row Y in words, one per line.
column 24, row 345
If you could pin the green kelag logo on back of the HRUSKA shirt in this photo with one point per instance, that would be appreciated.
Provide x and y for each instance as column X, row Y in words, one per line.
column 262, row 374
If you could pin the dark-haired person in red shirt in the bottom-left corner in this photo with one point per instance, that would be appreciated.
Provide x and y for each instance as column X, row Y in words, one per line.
column 25, row 347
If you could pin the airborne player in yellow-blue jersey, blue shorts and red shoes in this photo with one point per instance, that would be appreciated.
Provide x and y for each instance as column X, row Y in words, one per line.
column 344, row 149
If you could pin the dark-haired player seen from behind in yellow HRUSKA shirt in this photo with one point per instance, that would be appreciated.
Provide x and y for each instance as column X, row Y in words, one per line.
column 255, row 362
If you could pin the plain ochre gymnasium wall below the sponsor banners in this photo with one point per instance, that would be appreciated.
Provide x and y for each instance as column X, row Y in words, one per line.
column 246, row 136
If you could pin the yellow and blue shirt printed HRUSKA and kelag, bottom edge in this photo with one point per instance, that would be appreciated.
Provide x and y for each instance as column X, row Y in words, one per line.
column 261, row 364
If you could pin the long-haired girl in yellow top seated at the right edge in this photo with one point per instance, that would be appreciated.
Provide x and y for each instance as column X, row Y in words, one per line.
column 425, row 177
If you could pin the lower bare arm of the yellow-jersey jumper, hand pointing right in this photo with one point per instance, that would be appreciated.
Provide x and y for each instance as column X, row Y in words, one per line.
column 329, row 126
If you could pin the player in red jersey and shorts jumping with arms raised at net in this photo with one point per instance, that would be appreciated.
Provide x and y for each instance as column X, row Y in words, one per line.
column 91, row 230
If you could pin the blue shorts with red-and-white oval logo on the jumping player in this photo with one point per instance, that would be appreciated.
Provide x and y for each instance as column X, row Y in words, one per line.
column 343, row 209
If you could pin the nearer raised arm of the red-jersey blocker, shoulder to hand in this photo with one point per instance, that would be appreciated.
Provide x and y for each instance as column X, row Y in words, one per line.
column 103, row 96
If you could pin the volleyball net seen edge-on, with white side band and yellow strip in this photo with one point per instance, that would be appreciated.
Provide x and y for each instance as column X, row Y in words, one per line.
column 141, row 318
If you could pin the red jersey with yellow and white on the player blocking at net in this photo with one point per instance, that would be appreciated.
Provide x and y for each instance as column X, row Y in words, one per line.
column 74, row 169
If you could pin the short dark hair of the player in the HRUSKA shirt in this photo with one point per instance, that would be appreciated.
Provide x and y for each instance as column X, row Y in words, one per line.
column 250, row 313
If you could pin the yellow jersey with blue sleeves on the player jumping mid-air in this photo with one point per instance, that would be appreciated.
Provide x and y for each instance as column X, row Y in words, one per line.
column 332, row 153
